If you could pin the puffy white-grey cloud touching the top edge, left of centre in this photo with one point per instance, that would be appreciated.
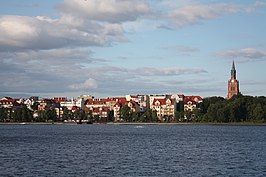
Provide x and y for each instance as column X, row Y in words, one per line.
column 113, row 11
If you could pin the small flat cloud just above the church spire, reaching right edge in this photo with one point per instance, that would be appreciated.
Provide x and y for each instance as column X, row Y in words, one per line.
column 246, row 54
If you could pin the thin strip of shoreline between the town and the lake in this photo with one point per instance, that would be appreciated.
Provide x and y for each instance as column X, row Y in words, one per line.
column 141, row 123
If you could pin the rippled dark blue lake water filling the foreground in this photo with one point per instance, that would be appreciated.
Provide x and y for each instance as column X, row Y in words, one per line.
column 132, row 150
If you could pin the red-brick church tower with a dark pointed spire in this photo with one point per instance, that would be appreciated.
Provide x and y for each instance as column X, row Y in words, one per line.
column 233, row 84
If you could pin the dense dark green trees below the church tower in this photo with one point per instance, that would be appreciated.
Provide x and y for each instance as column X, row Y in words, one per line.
column 237, row 109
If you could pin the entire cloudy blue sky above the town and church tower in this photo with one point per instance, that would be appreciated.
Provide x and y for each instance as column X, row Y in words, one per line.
column 111, row 48
